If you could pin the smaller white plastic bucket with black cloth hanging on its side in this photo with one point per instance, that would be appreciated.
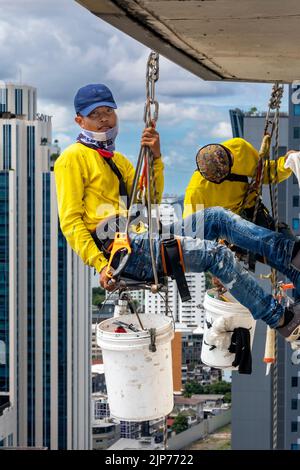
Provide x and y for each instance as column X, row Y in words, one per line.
column 239, row 316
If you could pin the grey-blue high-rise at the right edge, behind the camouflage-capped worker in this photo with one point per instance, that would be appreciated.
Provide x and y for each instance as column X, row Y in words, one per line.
column 253, row 401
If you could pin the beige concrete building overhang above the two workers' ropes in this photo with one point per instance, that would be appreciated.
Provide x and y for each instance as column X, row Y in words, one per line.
column 232, row 40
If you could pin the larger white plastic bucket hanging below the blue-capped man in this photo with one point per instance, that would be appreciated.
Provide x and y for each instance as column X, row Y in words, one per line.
column 139, row 382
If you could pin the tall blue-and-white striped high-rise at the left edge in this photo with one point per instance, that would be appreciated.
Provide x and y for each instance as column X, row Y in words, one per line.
column 44, row 290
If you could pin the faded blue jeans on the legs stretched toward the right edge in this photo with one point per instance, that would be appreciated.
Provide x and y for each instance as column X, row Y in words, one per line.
column 202, row 253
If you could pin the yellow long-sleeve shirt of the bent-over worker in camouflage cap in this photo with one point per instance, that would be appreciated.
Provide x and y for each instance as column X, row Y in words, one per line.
column 230, row 194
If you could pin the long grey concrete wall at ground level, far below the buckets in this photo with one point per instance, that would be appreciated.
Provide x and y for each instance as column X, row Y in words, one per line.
column 199, row 431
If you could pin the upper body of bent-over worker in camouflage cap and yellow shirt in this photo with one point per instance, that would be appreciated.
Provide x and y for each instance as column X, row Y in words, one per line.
column 222, row 176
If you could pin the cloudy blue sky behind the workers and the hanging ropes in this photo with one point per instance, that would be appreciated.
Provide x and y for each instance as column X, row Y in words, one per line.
column 59, row 46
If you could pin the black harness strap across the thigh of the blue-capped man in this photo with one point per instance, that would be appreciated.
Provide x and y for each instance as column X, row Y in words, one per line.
column 173, row 265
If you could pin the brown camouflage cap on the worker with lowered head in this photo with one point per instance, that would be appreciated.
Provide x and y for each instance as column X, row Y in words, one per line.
column 214, row 162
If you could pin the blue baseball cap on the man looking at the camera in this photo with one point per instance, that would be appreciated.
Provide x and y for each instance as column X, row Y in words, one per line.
column 91, row 96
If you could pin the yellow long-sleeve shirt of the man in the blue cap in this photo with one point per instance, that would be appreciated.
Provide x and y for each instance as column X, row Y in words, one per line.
column 88, row 192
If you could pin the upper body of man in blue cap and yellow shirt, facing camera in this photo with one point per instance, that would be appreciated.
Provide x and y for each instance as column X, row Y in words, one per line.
column 93, row 180
